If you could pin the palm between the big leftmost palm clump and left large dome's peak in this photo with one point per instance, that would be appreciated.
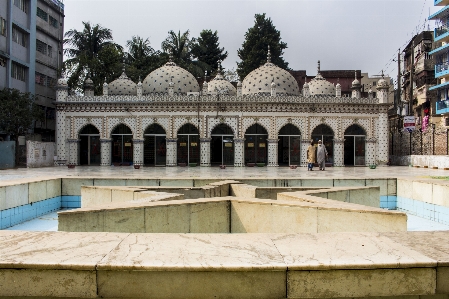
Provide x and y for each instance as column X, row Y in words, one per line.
column 141, row 58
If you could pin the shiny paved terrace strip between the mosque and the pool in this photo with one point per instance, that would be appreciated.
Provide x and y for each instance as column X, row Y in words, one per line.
column 216, row 172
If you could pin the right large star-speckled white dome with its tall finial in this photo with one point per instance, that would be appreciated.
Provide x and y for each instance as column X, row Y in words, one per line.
column 259, row 81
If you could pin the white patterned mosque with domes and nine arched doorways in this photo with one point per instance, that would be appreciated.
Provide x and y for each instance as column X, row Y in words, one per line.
column 169, row 120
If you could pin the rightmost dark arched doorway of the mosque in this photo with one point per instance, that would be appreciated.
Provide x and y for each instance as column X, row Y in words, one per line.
column 354, row 148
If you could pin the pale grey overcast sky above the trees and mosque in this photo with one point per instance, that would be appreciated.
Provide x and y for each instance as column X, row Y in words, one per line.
column 343, row 34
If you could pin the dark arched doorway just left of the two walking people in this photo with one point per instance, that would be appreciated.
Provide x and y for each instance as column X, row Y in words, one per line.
column 289, row 145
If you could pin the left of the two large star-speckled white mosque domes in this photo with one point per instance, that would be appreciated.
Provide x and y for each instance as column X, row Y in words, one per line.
column 158, row 80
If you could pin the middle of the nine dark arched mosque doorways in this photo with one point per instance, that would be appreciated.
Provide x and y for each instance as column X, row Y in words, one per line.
column 222, row 145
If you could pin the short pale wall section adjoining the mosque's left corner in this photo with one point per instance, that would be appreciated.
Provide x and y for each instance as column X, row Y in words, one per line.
column 40, row 154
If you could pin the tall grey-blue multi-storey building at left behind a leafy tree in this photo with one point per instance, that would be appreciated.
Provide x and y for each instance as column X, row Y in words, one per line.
column 31, row 35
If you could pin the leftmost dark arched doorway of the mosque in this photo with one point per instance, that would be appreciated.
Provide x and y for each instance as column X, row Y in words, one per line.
column 90, row 146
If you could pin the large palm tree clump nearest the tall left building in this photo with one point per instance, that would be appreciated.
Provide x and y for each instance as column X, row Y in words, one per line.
column 91, row 50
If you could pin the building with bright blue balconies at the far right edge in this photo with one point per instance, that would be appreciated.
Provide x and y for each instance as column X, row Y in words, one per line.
column 441, row 56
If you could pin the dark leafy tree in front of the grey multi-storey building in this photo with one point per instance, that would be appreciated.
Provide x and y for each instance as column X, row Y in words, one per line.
column 18, row 111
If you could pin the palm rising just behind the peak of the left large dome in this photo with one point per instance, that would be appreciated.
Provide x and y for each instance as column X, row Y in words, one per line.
column 179, row 45
